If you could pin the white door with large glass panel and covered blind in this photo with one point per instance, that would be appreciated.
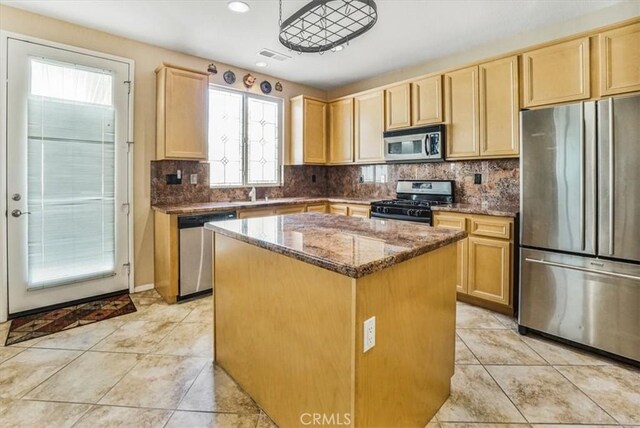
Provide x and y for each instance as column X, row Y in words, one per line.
column 67, row 175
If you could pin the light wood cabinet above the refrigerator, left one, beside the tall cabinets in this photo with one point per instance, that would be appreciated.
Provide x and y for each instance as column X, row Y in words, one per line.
column 557, row 73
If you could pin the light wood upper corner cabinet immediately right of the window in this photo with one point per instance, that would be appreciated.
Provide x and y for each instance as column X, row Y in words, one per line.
column 308, row 130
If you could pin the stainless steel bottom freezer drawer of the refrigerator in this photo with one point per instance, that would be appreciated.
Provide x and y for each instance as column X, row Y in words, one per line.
column 585, row 300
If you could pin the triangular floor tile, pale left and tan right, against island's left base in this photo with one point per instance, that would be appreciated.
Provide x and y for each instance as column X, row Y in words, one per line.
column 216, row 391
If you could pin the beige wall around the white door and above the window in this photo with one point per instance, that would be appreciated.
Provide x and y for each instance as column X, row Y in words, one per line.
column 147, row 58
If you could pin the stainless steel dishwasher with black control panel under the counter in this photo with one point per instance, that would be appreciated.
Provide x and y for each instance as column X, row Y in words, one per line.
column 195, row 252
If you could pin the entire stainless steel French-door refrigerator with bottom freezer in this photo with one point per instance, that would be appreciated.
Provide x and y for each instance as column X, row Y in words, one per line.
column 580, row 223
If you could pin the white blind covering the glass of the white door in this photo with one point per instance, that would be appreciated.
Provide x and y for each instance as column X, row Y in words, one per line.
column 71, row 183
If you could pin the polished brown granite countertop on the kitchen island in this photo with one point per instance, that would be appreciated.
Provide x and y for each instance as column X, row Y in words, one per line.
column 351, row 246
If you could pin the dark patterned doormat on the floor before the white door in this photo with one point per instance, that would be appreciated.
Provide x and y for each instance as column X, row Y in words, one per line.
column 46, row 323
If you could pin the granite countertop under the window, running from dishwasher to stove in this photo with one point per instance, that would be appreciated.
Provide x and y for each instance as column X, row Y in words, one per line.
column 207, row 207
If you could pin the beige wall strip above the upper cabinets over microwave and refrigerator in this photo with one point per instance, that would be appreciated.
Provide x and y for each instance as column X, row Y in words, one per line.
column 601, row 18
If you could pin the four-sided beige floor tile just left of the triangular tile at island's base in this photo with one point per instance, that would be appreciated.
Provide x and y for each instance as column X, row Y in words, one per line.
column 158, row 381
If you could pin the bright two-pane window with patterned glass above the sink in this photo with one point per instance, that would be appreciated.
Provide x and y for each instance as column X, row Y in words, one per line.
column 245, row 140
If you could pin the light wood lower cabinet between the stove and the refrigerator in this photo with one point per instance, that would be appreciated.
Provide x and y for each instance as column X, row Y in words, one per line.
column 485, row 259
